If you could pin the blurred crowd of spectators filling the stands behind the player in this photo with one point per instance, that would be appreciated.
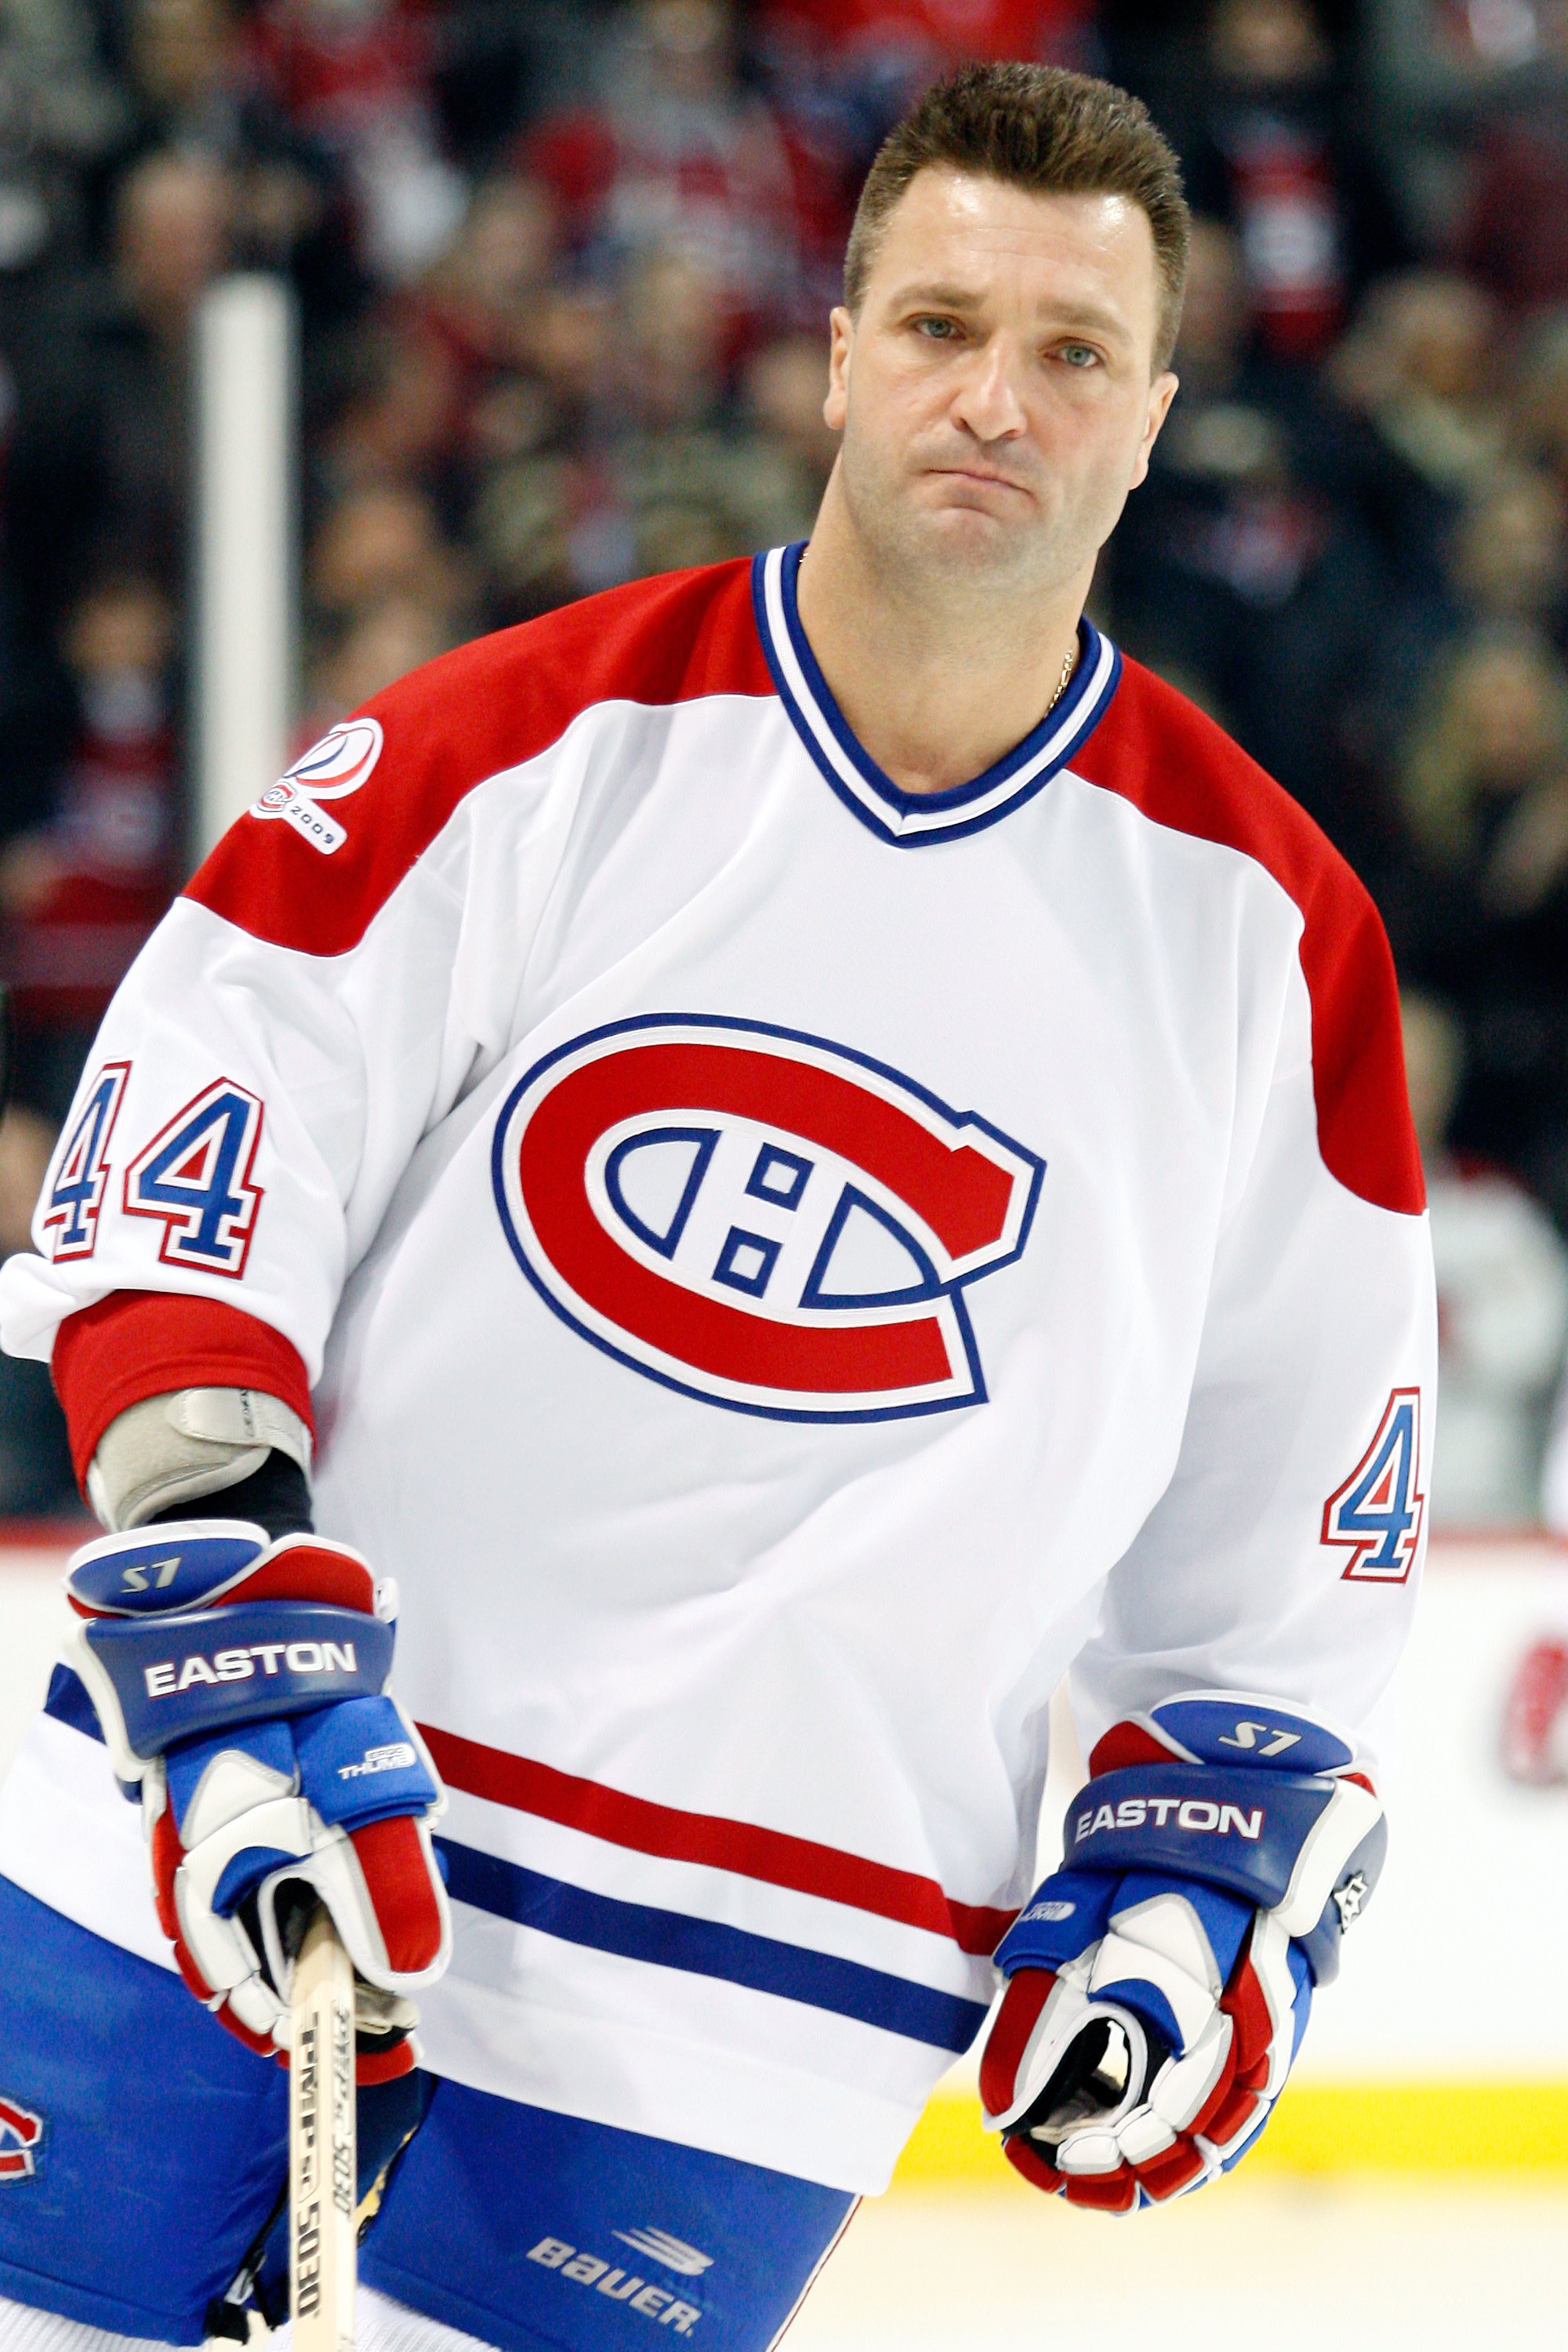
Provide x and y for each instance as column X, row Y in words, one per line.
column 563, row 274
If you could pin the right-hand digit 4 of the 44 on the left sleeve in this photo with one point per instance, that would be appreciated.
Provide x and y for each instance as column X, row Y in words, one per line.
column 196, row 1180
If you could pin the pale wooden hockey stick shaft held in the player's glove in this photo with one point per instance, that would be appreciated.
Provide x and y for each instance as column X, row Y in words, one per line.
column 323, row 2144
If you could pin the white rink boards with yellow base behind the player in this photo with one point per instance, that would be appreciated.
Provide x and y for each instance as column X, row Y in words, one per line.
column 1445, row 2047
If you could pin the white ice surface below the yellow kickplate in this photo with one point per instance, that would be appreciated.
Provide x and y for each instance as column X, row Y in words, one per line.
column 1292, row 2269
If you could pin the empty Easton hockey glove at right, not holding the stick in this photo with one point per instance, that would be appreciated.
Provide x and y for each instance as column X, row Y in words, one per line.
column 1160, row 1982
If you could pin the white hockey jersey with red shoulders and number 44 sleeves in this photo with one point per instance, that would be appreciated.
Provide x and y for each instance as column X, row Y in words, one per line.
column 782, row 1269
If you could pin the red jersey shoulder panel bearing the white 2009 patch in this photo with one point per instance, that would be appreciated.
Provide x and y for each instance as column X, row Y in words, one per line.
column 309, row 867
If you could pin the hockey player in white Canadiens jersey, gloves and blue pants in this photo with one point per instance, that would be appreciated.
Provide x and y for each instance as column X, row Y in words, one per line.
column 819, row 1151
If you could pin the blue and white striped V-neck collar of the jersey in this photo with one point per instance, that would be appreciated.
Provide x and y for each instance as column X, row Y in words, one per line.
column 911, row 820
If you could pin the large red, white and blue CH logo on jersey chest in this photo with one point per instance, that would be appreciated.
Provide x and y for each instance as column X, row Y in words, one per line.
column 760, row 1220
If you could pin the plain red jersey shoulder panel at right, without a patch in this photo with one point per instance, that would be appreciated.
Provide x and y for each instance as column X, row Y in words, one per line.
column 1177, row 766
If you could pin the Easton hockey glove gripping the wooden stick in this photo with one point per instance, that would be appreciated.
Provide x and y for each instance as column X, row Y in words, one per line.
column 241, row 1688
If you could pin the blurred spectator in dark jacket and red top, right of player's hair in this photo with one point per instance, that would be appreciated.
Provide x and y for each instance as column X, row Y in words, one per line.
column 1278, row 159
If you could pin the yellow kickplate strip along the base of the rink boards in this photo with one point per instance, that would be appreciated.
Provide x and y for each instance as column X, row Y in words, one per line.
column 1367, row 2127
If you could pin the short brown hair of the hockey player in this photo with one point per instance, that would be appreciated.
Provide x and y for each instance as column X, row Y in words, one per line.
column 1036, row 128
